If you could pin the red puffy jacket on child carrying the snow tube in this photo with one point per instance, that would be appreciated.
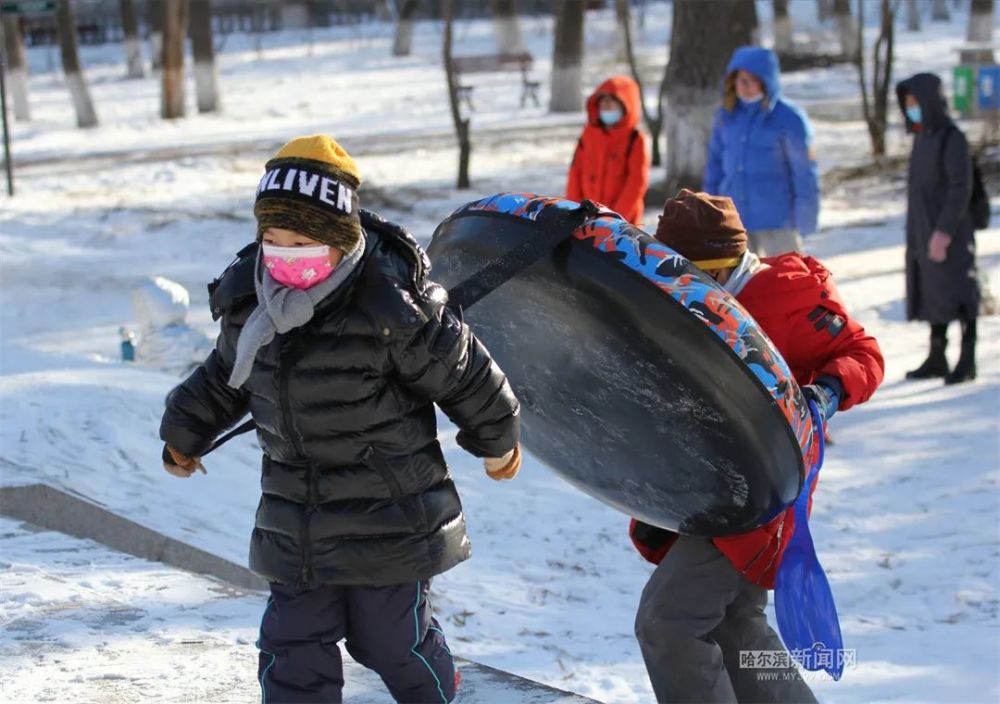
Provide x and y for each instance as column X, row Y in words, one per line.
column 795, row 302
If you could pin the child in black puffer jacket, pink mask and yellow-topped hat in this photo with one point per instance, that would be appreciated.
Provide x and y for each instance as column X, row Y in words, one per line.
column 337, row 344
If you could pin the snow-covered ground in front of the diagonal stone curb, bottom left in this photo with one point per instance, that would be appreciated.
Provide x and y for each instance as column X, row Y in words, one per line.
column 109, row 627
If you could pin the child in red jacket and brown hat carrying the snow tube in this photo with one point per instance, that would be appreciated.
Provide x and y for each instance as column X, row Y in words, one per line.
column 705, row 601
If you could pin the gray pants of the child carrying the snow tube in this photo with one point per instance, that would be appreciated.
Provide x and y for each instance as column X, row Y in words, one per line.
column 695, row 616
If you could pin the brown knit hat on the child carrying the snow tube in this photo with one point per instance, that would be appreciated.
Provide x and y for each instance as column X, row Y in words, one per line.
column 703, row 228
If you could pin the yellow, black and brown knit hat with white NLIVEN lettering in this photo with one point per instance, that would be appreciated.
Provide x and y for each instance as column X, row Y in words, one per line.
column 311, row 186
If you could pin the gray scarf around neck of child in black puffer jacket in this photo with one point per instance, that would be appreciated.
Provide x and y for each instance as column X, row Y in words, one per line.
column 282, row 308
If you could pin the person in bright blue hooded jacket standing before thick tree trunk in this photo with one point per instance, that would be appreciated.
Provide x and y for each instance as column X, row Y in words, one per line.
column 761, row 156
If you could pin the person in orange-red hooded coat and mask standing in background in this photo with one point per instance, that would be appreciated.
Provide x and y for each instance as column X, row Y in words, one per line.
column 611, row 163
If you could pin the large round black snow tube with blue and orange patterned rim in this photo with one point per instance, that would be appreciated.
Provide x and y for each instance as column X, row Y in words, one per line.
column 641, row 381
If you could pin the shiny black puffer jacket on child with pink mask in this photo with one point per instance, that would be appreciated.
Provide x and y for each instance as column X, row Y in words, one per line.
column 355, row 487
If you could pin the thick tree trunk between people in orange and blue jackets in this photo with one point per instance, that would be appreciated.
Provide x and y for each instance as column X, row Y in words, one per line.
column 703, row 38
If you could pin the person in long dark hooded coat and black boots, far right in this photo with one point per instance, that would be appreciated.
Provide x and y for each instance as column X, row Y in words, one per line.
column 941, row 281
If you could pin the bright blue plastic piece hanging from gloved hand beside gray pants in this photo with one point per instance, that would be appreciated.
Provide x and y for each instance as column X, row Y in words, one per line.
column 803, row 600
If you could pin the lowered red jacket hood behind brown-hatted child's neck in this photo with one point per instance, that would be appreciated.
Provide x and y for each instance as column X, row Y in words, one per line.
column 785, row 282
